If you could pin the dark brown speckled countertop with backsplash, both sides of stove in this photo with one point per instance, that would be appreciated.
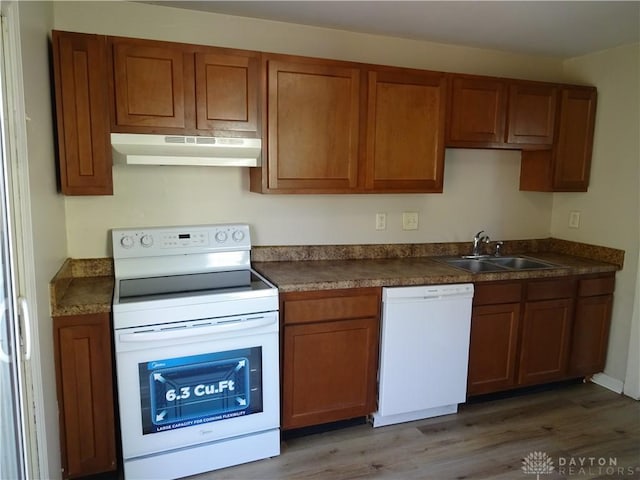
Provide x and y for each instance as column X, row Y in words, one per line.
column 85, row 286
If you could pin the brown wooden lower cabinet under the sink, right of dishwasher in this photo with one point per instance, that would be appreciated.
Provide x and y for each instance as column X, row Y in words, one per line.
column 538, row 331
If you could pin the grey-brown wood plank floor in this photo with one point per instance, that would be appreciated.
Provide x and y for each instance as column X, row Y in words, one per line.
column 577, row 427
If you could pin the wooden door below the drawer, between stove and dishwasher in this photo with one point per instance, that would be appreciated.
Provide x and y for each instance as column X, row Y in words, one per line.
column 329, row 371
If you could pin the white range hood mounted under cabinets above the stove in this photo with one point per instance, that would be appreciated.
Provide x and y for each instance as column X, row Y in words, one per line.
column 144, row 149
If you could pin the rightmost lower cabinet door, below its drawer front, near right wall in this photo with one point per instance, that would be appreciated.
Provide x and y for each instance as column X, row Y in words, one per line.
column 590, row 335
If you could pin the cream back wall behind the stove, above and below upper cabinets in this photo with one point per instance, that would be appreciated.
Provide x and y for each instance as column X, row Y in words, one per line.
column 481, row 187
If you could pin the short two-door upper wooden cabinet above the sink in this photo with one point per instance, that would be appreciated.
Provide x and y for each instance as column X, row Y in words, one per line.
column 490, row 112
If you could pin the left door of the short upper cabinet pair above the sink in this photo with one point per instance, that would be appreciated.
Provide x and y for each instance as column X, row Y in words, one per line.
column 477, row 112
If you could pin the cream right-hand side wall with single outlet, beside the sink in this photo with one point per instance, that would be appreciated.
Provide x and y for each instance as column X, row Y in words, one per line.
column 609, row 210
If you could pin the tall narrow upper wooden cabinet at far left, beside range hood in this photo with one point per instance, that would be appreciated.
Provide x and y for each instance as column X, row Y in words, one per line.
column 80, row 69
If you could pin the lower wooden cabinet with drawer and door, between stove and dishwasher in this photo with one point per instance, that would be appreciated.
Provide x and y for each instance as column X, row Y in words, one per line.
column 329, row 355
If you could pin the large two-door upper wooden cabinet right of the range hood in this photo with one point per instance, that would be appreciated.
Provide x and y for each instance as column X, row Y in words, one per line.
column 339, row 127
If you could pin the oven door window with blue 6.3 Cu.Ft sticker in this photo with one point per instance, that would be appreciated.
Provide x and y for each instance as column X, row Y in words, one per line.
column 186, row 391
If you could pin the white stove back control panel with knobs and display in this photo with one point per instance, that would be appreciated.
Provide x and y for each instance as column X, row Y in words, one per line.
column 160, row 241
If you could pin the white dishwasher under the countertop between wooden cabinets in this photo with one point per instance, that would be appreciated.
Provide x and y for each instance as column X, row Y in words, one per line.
column 424, row 352
